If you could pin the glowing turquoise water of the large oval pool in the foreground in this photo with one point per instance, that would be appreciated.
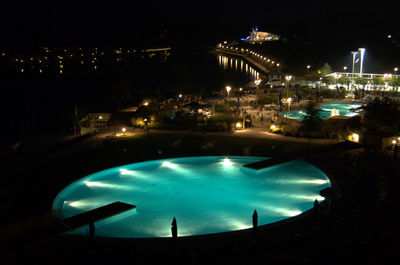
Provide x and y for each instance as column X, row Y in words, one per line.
column 206, row 195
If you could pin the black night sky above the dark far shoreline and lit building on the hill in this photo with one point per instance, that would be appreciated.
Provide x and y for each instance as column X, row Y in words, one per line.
column 45, row 19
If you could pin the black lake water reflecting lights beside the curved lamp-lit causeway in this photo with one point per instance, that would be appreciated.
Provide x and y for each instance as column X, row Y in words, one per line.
column 43, row 103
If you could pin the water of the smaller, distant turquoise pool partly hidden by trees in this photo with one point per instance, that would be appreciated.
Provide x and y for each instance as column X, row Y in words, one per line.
column 327, row 110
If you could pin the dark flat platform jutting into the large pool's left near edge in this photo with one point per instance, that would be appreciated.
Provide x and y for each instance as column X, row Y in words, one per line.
column 95, row 215
